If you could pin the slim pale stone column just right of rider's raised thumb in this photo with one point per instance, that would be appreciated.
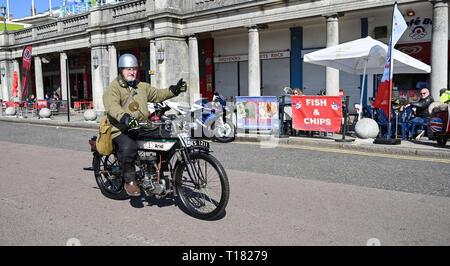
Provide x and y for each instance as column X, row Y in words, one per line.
column 194, row 71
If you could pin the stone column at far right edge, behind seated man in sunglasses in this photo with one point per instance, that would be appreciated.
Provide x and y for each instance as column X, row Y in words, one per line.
column 439, row 48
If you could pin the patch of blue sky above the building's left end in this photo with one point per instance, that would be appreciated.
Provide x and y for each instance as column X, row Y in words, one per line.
column 22, row 8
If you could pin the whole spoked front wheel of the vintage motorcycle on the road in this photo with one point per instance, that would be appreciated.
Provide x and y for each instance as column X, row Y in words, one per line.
column 205, row 197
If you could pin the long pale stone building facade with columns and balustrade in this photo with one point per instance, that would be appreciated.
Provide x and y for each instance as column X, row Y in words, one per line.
column 236, row 47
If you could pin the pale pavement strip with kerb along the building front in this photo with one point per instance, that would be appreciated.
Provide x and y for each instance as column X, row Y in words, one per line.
column 421, row 148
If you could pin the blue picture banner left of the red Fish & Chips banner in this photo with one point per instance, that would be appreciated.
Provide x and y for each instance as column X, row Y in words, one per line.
column 257, row 112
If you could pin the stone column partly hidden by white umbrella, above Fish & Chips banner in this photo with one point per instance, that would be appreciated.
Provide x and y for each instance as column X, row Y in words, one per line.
column 332, row 74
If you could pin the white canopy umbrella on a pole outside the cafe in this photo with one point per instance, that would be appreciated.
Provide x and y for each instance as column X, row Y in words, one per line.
column 364, row 56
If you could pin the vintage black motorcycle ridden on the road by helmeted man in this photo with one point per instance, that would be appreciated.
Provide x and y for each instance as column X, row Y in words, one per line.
column 178, row 166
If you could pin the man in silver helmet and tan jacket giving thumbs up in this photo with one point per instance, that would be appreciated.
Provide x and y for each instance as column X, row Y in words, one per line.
column 124, row 89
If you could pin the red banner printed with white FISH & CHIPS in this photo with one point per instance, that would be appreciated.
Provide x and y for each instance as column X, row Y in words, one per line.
column 317, row 113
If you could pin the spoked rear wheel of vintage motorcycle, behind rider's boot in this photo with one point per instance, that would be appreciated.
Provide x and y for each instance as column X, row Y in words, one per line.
column 107, row 176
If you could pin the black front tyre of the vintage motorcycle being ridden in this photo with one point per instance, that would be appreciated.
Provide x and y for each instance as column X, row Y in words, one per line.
column 225, row 187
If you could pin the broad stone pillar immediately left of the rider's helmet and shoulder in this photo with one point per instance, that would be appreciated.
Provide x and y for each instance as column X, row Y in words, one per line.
column 100, row 76
